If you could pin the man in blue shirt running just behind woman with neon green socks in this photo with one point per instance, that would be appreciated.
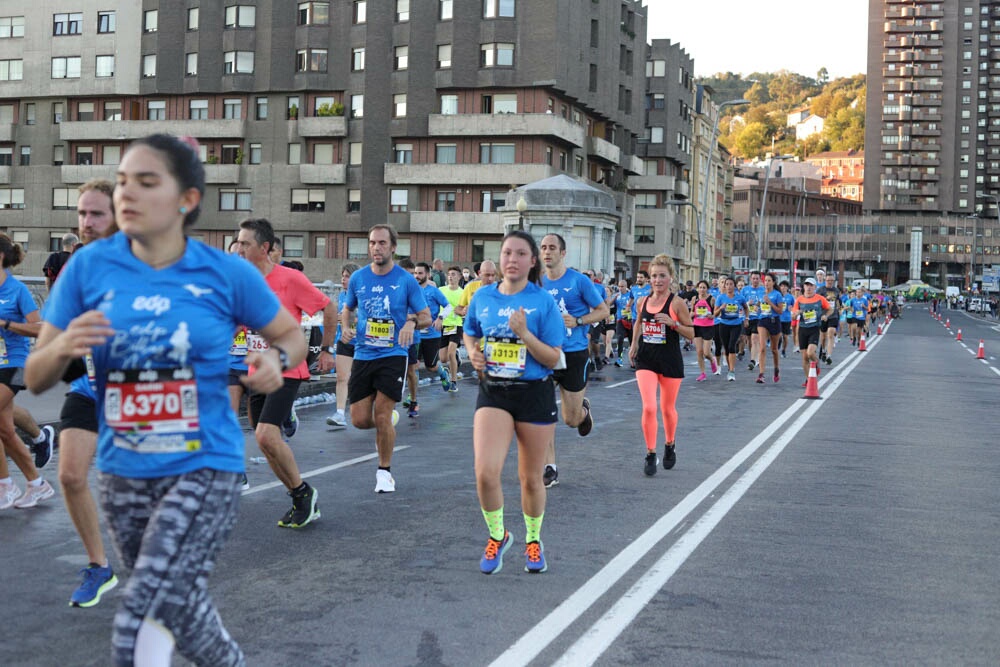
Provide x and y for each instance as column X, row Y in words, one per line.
column 581, row 304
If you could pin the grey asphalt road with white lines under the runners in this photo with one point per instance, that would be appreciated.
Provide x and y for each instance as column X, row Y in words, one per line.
column 857, row 529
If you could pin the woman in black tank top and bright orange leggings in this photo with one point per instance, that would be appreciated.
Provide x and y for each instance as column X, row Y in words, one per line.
column 656, row 355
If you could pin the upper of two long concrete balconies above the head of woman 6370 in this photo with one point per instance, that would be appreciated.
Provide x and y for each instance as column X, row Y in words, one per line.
column 126, row 130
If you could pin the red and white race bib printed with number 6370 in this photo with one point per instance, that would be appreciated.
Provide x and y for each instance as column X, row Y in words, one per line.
column 153, row 411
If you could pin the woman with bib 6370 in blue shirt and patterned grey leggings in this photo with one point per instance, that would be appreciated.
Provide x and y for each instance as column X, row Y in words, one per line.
column 170, row 477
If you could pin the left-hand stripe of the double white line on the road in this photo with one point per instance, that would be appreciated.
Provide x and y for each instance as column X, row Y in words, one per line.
column 563, row 616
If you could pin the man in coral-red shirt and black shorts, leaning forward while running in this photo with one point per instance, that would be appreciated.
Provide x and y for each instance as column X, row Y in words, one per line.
column 267, row 412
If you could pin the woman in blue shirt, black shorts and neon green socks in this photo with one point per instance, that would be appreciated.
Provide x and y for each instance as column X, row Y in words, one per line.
column 520, row 328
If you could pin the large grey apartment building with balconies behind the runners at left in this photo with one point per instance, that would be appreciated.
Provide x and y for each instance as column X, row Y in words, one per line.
column 325, row 117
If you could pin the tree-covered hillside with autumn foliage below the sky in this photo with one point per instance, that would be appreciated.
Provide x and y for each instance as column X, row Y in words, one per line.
column 760, row 128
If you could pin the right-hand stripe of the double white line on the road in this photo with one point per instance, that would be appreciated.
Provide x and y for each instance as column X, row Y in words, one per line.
column 599, row 637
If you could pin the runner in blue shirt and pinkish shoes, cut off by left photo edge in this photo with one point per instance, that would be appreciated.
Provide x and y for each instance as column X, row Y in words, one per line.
column 19, row 320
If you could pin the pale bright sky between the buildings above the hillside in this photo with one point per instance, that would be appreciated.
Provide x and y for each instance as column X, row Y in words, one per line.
column 730, row 35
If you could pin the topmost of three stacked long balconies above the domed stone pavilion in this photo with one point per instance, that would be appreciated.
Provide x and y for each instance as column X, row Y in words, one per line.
column 505, row 125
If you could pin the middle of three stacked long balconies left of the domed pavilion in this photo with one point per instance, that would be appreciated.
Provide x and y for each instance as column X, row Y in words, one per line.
column 466, row 174
